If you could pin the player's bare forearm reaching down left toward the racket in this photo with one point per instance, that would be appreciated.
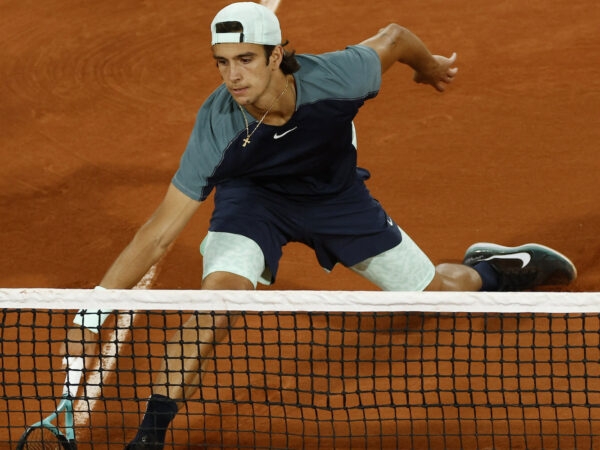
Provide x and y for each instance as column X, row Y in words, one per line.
column 147, row 246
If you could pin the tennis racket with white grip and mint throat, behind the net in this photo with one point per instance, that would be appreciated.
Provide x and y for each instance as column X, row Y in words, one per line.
column 45, row 435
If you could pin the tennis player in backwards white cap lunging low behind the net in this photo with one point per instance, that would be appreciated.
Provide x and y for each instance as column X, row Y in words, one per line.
column 276, row 142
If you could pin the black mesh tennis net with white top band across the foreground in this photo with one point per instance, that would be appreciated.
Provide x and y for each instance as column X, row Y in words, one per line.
column 391, row 371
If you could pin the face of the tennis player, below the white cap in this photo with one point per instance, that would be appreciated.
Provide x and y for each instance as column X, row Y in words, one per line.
column 245, row 71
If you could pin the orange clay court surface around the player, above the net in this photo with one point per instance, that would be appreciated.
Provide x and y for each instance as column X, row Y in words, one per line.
column 97, row 101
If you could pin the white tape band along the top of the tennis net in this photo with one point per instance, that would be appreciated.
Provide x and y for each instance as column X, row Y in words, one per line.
column 351, row 301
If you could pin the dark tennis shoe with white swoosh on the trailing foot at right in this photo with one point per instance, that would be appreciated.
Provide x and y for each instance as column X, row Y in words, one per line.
column 524, row 267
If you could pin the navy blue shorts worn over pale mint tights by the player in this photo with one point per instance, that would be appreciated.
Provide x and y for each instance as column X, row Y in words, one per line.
column 348, row 227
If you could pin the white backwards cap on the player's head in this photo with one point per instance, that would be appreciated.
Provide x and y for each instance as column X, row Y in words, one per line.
column 260, row 25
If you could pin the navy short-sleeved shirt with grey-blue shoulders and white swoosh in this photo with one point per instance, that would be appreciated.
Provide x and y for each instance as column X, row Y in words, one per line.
column 312, row 154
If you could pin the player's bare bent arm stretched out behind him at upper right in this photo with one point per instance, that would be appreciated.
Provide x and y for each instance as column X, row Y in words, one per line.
column 395, row 43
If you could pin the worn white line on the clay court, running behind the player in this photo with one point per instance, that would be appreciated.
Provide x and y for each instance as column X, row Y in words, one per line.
column 106, row 365
